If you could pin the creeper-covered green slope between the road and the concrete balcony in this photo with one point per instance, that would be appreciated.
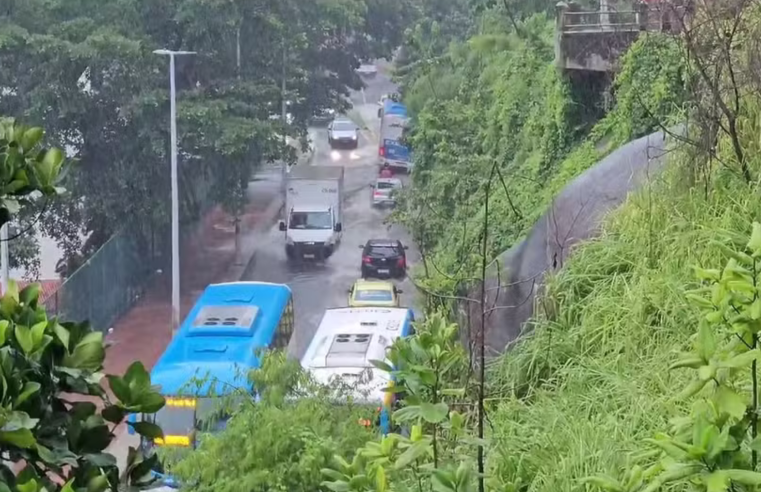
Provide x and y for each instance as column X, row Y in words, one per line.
column 541, row 129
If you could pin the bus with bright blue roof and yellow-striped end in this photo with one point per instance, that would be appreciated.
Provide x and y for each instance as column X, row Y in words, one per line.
column 211, row 355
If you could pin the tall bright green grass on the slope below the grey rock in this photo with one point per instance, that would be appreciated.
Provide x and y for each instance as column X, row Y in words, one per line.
column 578, row 394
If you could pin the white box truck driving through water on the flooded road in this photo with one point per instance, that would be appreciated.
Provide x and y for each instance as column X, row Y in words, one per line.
column 313, row 211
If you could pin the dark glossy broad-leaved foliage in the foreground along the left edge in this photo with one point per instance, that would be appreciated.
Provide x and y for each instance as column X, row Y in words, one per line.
column 49, row 368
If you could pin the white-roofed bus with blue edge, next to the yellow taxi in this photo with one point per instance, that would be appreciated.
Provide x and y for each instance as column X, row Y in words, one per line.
column 346, row 342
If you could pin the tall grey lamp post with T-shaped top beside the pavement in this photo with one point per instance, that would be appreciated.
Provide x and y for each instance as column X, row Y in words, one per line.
column 175, row 191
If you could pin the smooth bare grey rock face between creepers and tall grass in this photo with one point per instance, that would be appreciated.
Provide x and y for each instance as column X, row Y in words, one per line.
column 575, row 215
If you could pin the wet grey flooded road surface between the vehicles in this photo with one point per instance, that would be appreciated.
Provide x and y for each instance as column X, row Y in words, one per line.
column 320, row 285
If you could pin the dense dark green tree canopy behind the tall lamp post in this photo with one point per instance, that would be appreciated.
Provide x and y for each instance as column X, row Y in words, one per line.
column 85, row 70
